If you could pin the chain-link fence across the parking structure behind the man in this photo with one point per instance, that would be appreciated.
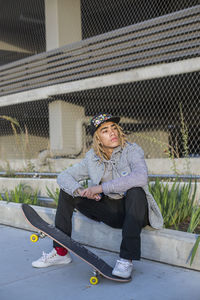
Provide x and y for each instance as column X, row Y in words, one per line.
column 160, row 113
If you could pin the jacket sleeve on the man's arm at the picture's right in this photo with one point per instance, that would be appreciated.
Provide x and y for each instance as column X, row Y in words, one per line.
column 137, row 178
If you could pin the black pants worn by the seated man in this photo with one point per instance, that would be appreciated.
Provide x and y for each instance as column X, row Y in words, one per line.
column 129, row 213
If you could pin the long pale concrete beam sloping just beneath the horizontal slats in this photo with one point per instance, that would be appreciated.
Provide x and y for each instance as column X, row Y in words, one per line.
column 138, row 74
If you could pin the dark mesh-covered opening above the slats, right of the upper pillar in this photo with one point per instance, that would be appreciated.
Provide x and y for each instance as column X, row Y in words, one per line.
column 103, row 16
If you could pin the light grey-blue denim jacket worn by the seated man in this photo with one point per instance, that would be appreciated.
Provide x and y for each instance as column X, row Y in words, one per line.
column 129, row 170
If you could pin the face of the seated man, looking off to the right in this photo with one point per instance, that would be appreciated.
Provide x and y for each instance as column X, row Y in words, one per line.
column 108, row 135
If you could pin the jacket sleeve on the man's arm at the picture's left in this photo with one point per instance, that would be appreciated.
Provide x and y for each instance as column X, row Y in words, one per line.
column 69, row 179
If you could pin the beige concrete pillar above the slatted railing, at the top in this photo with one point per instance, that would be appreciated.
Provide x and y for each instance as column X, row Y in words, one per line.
column 63, row 22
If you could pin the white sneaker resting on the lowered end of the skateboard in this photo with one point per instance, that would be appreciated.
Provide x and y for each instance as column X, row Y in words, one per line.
column 123, row 268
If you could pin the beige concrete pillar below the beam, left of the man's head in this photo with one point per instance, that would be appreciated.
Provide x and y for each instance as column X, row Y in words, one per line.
column 66, row 128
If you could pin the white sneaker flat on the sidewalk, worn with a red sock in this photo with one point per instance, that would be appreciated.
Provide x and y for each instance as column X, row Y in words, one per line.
column 51, row 259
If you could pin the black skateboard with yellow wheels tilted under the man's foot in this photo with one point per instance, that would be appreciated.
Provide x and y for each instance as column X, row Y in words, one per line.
column 100, row 267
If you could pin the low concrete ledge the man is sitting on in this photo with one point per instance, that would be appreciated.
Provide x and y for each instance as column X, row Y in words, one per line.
column 167, row 246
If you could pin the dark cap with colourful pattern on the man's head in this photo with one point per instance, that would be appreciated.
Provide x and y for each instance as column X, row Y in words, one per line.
column 100, row 119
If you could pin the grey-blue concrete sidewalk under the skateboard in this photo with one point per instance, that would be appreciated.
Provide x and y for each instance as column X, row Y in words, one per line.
column 18, row 280
